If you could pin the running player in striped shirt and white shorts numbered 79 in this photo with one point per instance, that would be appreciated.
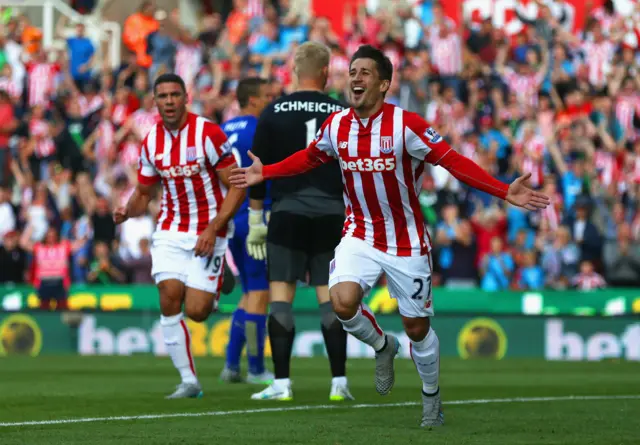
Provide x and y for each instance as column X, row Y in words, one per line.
column 192, row 159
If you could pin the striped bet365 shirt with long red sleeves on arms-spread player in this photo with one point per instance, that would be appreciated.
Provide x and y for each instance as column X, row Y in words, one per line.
column 382, row 160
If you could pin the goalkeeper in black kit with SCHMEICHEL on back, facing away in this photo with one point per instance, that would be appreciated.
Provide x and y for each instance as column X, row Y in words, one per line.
column 307, row 215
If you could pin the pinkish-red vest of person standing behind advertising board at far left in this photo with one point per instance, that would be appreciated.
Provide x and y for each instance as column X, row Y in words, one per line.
column 51, row 261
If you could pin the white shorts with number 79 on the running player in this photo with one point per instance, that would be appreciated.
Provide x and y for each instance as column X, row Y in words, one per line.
column 175, row 259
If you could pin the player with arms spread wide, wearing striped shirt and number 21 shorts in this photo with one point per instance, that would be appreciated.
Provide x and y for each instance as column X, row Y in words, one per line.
column 382, row 151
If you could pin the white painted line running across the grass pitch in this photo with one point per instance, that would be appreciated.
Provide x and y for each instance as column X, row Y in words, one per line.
column 312, row 407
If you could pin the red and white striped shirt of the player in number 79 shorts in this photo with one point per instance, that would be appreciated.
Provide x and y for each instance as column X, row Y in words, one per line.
column 186, row 163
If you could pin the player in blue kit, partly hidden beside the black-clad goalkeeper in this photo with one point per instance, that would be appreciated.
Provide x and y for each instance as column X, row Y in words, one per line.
column 248, row 325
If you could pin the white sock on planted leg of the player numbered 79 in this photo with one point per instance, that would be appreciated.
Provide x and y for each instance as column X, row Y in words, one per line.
column 178, row 342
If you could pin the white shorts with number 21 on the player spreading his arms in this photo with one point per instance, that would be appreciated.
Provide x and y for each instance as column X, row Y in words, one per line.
column 408, row 277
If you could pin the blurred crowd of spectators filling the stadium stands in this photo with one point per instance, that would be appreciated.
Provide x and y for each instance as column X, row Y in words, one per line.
column 562, row 105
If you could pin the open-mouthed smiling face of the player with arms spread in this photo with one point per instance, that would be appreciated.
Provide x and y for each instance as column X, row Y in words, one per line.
column 367, row 90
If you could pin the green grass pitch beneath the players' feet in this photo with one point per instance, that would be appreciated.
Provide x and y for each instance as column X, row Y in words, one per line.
column 54, row 388
